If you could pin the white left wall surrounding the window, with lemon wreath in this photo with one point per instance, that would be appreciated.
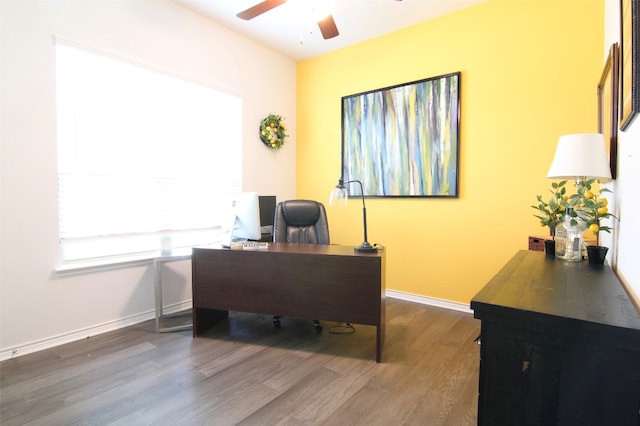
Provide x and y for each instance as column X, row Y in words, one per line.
column 39, row 309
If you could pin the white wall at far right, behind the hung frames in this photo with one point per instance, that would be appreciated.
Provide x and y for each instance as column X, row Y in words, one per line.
column 627, row 191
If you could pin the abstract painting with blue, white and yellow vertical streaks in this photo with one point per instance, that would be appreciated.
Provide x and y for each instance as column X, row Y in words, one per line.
column 403, row 141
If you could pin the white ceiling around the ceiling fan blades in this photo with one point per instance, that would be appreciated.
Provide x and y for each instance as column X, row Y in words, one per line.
column 291, row 30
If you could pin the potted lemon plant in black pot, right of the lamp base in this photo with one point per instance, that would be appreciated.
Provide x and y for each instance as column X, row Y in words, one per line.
column 591, row 208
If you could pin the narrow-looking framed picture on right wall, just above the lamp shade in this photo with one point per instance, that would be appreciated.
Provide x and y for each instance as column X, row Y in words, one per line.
column 608, row 105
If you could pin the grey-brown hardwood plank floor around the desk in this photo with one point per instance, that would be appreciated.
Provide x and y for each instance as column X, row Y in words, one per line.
column 244, row 371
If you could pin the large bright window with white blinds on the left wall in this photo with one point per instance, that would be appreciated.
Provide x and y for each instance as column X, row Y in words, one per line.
column 141, row 156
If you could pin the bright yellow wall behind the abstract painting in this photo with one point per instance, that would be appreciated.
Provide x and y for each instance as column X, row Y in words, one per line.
column 529, row 74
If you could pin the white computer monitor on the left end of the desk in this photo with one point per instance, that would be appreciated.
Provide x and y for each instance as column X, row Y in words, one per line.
column 241, row 217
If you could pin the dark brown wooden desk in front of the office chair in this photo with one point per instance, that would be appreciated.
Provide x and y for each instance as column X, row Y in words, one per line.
column 323, row 282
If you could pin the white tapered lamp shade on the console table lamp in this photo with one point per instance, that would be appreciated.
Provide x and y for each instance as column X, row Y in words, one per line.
column 580, row 156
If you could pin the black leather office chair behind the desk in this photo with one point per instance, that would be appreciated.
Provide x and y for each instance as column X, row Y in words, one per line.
column 304, row 222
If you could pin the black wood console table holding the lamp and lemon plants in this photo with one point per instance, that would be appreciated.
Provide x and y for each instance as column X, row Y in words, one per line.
column 560, row 345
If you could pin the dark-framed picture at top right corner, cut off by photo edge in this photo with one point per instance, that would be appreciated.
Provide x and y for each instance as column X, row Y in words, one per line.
column 629, row 39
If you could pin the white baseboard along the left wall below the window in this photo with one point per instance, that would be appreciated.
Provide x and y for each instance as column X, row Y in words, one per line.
column 94, row 330
